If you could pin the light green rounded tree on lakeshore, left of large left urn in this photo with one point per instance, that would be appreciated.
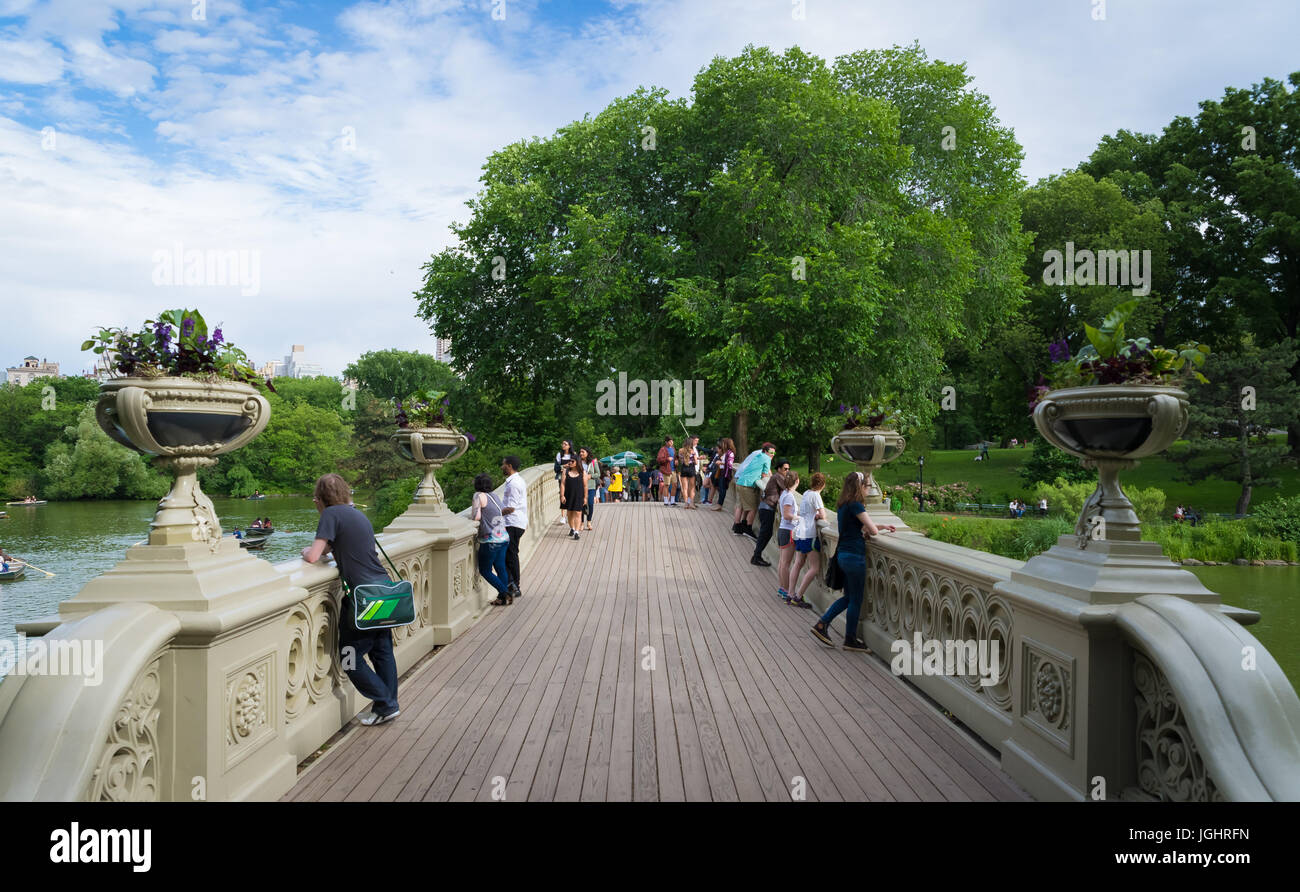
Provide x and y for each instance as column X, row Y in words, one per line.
column 85, row 464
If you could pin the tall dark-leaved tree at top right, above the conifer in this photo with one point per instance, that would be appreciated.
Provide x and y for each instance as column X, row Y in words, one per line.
column 1230, row 188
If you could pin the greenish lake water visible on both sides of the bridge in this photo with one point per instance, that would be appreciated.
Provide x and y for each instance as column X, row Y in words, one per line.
column 80, row 540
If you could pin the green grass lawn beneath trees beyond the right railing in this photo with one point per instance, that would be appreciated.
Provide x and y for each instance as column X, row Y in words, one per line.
column 1000, row 482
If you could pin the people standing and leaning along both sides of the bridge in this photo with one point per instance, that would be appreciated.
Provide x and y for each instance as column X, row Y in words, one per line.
column 768, row 492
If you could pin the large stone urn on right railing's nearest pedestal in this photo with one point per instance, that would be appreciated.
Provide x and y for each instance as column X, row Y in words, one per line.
column 1111, row 427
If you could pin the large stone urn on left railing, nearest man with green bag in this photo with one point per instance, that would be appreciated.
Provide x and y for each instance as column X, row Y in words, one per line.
column 185, row 425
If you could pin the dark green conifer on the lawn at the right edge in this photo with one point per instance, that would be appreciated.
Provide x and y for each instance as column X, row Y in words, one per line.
column 1250, row 392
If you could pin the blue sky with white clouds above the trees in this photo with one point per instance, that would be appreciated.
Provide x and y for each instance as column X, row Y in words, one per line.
column 335, row 142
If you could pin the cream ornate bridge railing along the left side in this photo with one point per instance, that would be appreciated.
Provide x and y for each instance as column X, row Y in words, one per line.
column 219, row 685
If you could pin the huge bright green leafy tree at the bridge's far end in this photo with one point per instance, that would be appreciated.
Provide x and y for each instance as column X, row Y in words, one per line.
column 692, row 220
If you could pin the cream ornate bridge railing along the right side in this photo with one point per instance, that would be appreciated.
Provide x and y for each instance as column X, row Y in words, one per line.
column 1119, row 674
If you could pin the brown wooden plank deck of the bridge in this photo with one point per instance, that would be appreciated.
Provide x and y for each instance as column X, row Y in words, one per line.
column 551, row 699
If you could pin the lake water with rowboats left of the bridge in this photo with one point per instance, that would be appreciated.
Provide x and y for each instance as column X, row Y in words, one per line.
column 80, row 540
